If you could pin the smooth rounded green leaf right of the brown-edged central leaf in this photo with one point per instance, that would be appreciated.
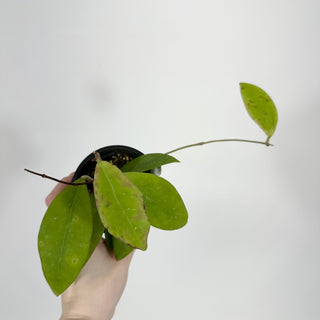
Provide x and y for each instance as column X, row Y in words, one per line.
column 164, row 205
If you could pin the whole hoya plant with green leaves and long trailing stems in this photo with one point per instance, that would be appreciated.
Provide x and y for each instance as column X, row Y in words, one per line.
column 119, row 198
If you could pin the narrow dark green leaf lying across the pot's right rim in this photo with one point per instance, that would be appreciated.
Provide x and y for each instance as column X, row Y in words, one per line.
column 147, row 162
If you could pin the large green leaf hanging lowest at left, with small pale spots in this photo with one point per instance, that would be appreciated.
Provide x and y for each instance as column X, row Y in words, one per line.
column 64, row 237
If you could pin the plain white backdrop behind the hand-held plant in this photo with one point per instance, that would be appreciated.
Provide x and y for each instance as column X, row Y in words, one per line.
column 79, row 75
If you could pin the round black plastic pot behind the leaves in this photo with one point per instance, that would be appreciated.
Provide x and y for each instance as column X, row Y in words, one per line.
column 119, row 155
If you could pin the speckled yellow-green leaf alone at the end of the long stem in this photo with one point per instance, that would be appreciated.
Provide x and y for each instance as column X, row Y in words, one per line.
column 260, row 107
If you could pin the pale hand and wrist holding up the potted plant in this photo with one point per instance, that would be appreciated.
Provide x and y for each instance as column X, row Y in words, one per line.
column 96, row 292
